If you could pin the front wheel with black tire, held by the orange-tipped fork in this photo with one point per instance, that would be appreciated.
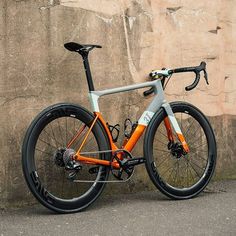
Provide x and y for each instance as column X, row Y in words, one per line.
column 186, row 176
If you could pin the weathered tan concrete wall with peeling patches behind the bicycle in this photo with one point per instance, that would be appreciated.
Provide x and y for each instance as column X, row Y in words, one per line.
column 136, row 36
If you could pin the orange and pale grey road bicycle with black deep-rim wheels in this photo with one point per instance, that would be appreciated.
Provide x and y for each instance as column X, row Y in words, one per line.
column 68, row 152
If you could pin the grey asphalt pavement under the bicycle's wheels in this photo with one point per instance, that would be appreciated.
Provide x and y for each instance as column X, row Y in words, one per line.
column 148, row 213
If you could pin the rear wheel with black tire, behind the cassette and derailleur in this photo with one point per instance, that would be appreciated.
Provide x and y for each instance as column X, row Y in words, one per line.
column 48, row 182
